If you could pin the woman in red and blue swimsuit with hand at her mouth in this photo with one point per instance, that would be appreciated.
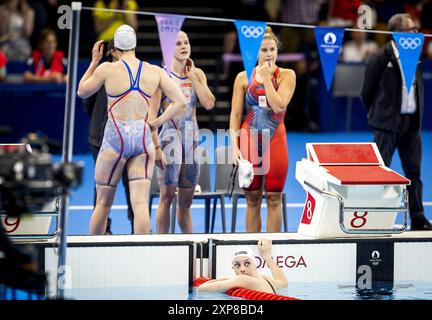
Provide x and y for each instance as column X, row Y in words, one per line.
column 267, row 97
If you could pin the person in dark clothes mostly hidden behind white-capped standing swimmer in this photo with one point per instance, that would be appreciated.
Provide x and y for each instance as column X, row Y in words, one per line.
column 95, row 107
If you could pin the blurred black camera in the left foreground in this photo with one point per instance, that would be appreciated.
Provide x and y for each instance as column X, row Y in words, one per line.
column 28, row 180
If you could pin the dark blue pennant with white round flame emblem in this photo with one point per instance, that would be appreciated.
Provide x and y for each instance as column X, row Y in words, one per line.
column 329, row 43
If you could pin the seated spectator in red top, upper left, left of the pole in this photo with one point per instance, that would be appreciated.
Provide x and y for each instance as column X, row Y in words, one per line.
column 47, row 64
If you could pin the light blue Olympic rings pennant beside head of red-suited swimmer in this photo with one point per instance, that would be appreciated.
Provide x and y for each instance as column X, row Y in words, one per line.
column 250, row 34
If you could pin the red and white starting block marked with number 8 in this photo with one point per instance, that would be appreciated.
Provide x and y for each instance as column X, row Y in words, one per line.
column 350, row 192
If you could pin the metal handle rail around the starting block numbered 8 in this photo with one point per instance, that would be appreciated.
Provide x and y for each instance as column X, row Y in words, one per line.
column 342, row 210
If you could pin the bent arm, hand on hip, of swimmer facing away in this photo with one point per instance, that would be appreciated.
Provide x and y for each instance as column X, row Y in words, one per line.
column 178, row 101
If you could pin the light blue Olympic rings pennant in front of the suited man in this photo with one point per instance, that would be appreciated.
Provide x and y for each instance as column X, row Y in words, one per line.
column 409, row 46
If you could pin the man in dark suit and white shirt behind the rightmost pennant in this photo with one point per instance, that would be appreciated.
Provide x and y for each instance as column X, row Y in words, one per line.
column 395, row 115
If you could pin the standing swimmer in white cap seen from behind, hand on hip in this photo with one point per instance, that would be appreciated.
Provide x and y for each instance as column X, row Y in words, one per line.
column 129, row 84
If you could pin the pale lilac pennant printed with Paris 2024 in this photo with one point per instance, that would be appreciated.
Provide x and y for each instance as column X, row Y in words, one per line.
column 168, row 27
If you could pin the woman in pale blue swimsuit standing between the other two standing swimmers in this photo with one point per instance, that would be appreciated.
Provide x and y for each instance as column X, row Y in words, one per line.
column 179, row 139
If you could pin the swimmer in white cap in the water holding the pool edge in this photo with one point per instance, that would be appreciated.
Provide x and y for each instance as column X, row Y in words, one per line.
column 246, row 275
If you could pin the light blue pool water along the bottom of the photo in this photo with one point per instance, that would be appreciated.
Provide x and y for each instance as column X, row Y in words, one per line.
column 304, row 291
